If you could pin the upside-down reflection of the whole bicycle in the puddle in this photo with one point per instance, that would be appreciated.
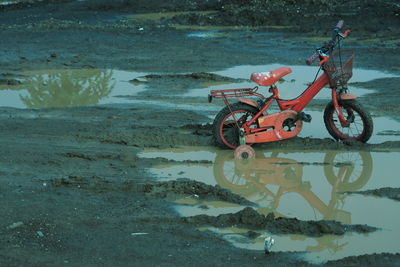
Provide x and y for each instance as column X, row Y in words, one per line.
column 265, row 180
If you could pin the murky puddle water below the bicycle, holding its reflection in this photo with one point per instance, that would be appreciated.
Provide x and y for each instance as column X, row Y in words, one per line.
column 308, row 186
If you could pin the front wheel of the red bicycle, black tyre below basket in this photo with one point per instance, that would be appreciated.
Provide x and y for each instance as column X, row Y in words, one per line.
column 360, row 123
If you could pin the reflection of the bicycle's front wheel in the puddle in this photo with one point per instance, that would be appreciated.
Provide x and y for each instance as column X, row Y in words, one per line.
column 352, row 168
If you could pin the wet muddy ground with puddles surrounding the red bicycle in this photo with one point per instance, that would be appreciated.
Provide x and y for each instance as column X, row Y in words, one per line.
column 107, row 155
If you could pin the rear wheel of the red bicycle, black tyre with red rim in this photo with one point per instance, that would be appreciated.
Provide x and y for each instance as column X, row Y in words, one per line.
column 225, row 130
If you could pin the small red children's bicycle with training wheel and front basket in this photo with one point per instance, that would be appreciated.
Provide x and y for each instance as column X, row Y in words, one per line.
column 248, row 121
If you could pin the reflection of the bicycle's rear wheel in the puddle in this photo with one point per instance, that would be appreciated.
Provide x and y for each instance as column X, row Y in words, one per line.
column 230, row 177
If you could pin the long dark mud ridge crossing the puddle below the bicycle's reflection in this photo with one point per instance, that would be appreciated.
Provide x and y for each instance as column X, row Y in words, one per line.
column 250, row 218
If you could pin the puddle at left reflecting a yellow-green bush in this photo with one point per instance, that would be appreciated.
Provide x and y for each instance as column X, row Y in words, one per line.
column 70, row 87
